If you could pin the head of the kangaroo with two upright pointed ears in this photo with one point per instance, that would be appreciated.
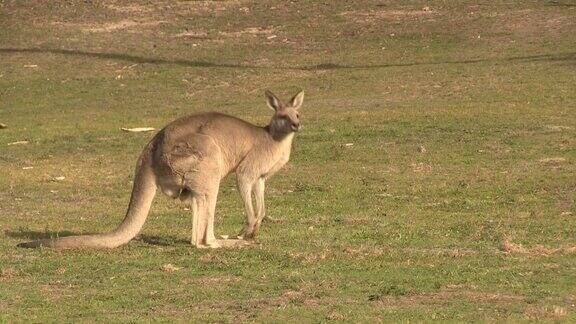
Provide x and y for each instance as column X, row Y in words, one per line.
column 286, row 118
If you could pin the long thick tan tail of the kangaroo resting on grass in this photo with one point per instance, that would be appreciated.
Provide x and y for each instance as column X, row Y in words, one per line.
column 143, row 193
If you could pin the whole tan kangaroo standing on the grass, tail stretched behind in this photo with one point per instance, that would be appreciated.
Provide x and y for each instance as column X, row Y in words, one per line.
column 188, row 158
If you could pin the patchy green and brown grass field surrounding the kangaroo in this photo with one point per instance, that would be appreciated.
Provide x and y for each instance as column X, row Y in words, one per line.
column 434, row 178
